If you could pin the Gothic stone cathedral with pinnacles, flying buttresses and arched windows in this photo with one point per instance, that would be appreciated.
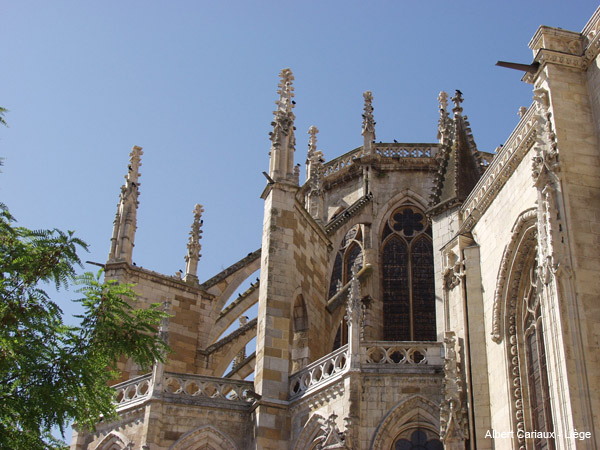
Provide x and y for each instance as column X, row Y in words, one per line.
column 411, row 296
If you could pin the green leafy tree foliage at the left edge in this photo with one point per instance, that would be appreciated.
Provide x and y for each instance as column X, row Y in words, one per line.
column 52, row 373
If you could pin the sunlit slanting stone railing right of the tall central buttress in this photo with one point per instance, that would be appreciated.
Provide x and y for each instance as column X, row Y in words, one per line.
column 320, row 373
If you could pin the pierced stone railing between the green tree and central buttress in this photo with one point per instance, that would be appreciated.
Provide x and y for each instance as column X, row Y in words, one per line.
column 197, row 387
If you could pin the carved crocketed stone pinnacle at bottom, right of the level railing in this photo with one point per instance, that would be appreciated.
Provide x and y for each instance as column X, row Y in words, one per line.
column 454, row 427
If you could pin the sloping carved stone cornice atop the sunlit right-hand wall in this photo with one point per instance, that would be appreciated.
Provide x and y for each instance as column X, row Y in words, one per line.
column 499, row 170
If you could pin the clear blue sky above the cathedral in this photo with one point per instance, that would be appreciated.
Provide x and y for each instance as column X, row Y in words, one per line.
column 194, row 84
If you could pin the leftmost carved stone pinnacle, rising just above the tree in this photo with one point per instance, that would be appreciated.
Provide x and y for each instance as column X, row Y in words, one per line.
column 125, row 224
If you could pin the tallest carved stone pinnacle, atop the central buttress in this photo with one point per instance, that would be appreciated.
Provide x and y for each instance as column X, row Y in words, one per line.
column 282, row 136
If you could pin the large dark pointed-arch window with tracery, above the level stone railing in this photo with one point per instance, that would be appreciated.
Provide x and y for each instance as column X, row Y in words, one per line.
column 407, row 277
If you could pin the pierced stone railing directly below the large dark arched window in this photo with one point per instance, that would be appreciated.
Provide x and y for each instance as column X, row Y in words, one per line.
column 401, row 354
